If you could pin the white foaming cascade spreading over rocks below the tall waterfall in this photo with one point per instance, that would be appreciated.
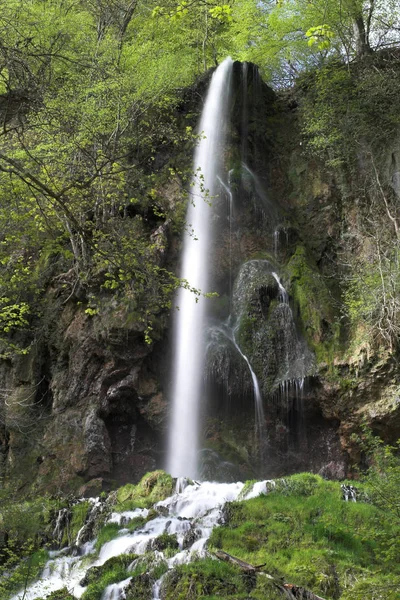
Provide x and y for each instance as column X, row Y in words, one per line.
column 189, row 515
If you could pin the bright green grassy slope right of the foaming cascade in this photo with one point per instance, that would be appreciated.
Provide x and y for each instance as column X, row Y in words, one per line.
column 305, row 533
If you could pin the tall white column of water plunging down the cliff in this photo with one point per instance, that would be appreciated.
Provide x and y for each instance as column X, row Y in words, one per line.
column 189, row 344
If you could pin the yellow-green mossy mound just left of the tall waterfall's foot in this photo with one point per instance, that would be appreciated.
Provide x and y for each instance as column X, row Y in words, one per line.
column 152, row 488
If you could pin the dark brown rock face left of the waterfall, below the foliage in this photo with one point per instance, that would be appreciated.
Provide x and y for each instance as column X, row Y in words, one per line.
column 88, row 408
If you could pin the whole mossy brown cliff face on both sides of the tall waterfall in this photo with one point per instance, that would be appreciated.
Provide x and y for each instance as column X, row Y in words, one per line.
column 87, row 407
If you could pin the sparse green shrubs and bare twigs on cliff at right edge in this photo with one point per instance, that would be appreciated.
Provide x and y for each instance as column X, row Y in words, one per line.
column 349, row 116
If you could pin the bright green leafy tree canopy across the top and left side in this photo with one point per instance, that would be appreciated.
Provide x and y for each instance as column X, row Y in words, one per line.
column 88, row 98
